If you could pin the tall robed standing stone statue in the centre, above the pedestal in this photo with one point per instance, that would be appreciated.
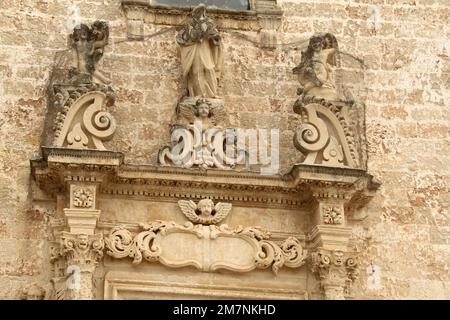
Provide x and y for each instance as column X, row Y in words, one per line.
column 201, row 54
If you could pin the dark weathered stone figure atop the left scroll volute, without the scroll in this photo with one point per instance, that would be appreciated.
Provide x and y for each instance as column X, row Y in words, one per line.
column 88, row 45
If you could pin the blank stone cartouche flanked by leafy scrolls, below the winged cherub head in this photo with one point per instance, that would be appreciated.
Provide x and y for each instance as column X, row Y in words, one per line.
column 208, row 248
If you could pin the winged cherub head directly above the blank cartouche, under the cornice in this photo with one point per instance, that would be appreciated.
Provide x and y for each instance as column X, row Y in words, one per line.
column 204, row 212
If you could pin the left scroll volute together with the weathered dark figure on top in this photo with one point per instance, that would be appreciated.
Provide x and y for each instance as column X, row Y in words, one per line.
column 80, row 94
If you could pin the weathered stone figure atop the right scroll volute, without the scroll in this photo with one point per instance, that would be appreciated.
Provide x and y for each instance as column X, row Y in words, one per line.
column 316, row 69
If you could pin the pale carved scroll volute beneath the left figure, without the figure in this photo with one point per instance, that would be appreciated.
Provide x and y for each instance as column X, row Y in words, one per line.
column 85, row 123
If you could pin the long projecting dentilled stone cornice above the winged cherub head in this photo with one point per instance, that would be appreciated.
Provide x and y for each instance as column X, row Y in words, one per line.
column 299, row 187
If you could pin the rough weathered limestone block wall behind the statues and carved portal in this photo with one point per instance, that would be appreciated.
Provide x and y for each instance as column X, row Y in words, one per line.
column 405, row 85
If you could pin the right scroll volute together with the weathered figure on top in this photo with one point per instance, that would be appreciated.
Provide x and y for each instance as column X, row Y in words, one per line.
column 331, row 132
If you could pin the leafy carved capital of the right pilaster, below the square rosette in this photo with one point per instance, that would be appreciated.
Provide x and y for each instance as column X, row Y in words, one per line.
column 336, row 270
